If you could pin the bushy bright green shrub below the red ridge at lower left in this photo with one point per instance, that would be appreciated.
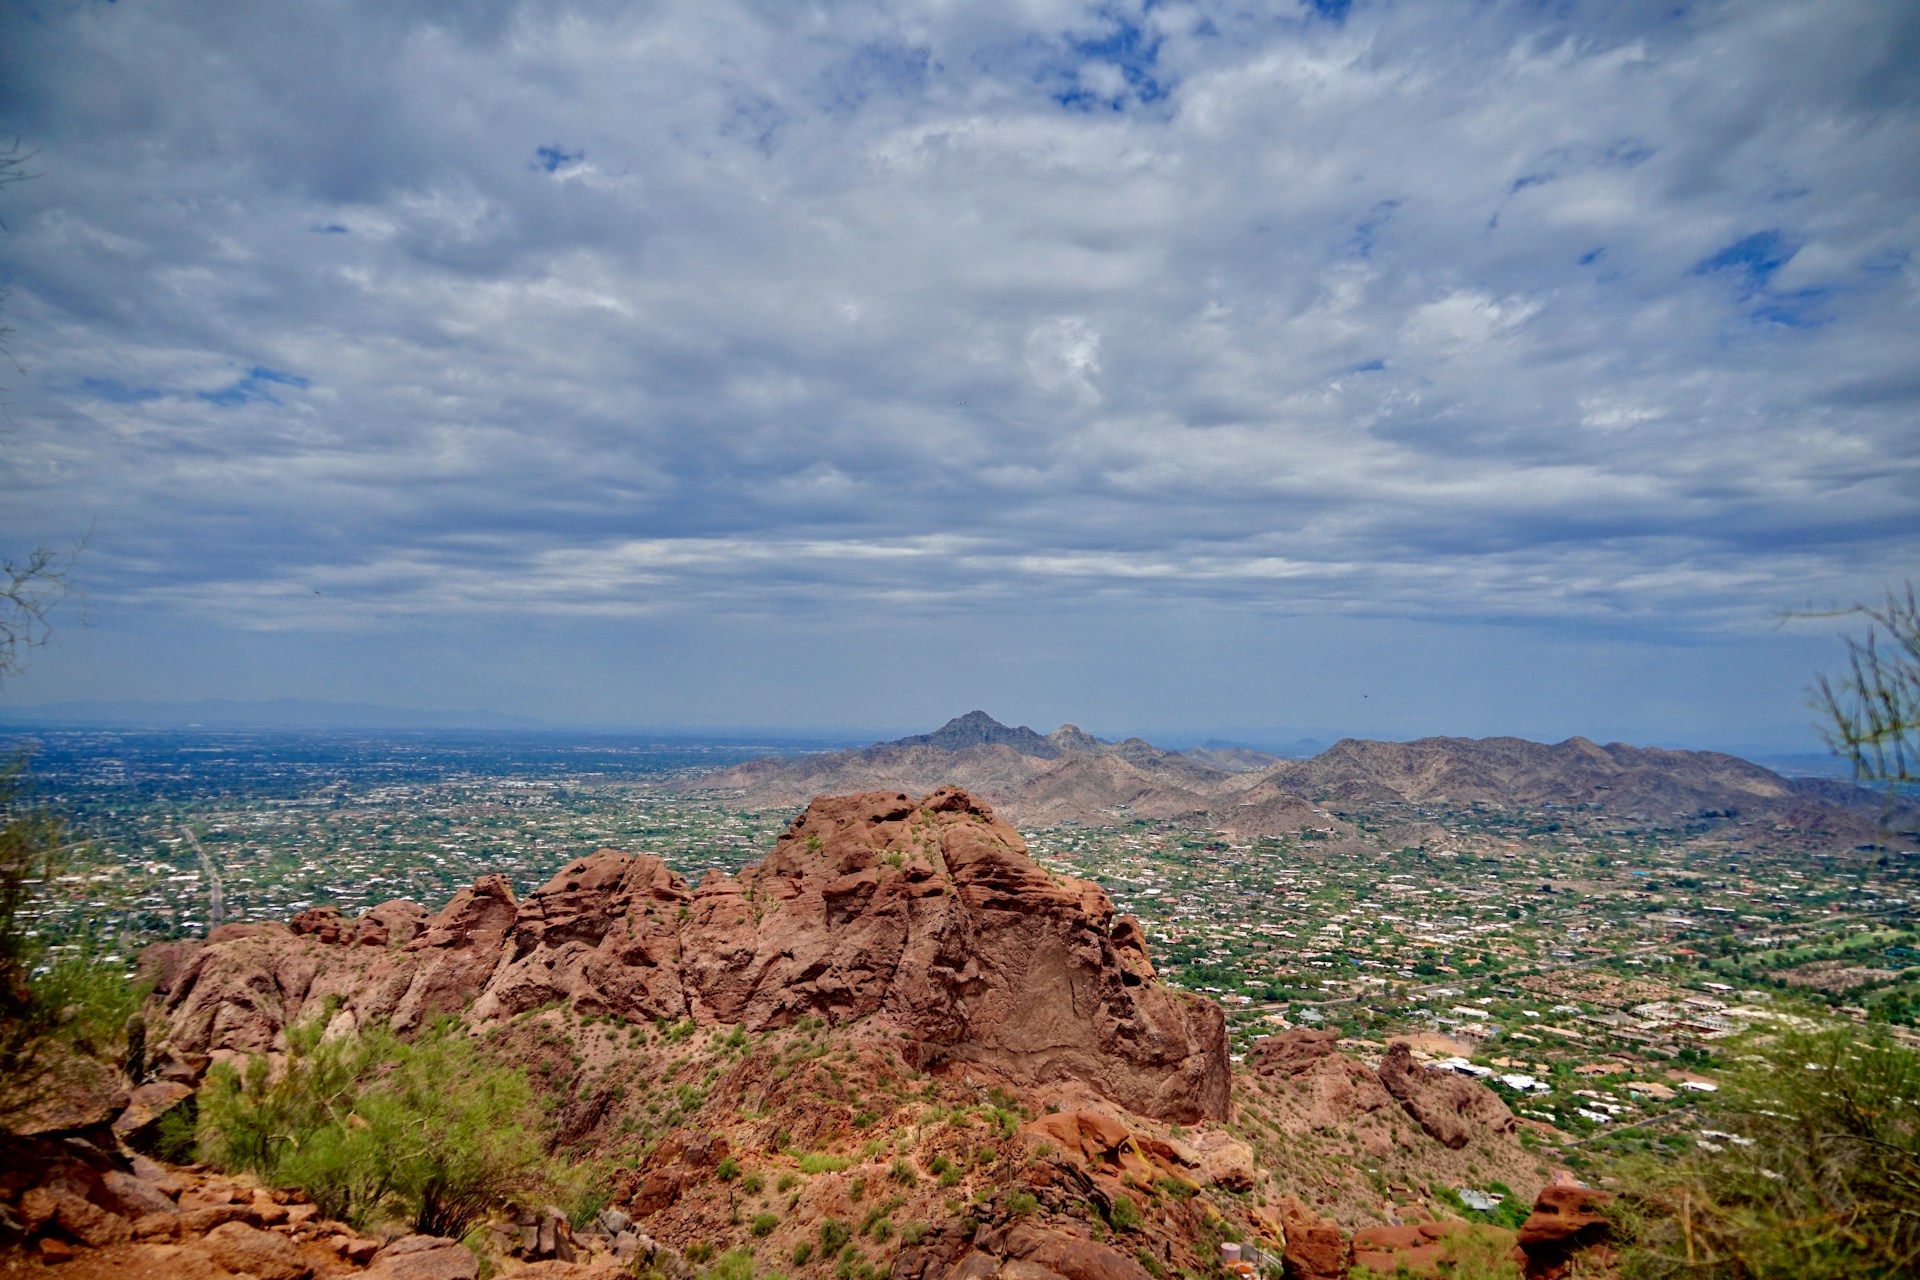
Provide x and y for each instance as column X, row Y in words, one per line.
column 377, row 1126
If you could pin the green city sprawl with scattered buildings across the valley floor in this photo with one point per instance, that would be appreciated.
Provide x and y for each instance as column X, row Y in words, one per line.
column 1591, row 968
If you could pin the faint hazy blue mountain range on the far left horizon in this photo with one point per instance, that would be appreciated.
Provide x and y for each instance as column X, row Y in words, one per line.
column 272, row 715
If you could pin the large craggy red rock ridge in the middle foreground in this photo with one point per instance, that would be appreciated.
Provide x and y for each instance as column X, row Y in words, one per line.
column 924, row 916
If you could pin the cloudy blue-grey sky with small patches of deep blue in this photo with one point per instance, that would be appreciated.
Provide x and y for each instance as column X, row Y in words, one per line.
column 1393, row 369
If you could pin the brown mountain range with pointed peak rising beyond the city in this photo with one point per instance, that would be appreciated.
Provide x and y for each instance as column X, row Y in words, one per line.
column 1070, row 776
